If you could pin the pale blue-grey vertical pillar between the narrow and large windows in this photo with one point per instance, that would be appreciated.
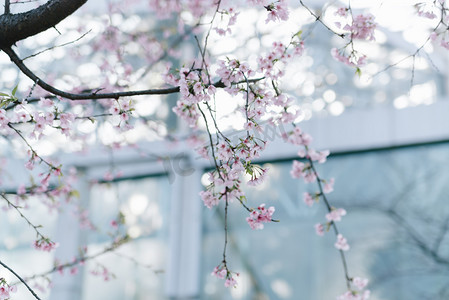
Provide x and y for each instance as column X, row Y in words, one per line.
column 183, row 270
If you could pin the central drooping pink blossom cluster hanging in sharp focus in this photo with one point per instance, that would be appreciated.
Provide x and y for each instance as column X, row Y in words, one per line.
column 233, row 159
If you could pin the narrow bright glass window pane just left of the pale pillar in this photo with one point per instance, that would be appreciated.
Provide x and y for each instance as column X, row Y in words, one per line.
column 135, row 270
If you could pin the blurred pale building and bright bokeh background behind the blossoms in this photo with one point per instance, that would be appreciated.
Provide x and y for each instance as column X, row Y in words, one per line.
column 387, row 130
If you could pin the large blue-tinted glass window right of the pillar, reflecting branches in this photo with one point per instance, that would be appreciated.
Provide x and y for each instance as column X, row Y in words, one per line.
column 396, row 225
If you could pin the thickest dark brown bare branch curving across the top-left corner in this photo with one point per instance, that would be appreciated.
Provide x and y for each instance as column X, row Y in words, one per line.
column 16, row 27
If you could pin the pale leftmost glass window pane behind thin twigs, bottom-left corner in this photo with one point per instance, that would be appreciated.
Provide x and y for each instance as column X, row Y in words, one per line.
column 16, row 241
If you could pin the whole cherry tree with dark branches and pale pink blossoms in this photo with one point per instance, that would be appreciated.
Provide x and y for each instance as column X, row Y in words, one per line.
column 174, row 56
